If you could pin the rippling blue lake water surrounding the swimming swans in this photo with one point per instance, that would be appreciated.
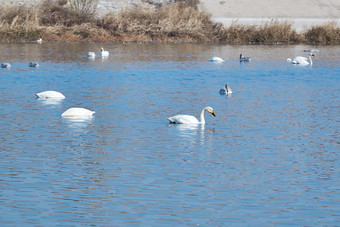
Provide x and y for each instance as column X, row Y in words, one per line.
column 270, row 157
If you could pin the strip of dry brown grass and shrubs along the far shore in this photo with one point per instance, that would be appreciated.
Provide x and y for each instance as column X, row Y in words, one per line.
column 181, row 22
